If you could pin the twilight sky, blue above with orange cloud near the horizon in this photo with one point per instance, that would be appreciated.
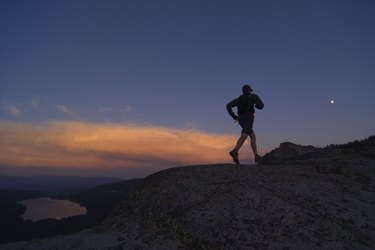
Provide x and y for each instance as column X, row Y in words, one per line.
column 126, row 88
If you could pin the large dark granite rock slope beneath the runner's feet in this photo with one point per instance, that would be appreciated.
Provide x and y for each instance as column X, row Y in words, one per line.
column 313, row 205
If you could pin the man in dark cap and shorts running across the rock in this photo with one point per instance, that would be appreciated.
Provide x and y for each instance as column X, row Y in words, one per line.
column 245, row 116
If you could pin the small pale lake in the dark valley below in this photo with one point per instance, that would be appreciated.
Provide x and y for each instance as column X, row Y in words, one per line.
column 47, row 208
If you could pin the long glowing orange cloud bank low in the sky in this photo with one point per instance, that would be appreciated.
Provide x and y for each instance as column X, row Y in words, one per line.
column 85, row 145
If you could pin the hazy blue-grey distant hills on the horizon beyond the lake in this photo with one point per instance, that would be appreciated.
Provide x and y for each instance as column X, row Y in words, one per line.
column 53, row 183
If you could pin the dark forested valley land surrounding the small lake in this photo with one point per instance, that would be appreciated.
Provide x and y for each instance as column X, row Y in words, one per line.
column 99, row 202
